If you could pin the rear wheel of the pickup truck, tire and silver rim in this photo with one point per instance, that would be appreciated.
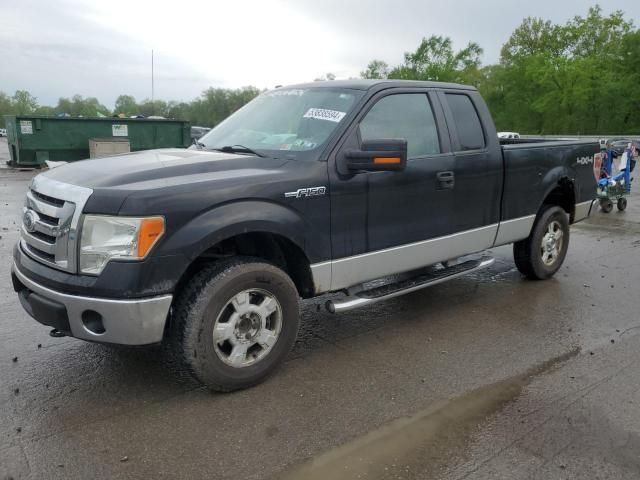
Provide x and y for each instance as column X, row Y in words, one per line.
column 540, row 255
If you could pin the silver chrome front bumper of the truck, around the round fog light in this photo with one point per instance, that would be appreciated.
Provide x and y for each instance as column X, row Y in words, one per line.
column 126, row 322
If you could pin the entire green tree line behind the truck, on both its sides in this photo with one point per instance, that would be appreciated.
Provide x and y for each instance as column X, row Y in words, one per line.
column 580, row 77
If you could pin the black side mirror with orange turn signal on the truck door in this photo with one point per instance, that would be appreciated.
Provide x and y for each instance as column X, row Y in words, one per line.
column 378, row 155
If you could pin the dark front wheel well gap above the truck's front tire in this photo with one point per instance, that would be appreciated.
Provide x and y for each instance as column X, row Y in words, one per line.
column 273, row 248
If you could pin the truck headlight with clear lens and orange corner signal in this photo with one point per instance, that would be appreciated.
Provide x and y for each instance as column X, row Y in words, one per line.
column 104, row 237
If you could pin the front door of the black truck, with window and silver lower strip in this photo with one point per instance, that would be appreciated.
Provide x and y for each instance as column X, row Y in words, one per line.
column 384, row 222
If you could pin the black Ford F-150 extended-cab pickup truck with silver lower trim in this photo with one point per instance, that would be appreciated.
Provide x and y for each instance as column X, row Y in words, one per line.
column 369, row 188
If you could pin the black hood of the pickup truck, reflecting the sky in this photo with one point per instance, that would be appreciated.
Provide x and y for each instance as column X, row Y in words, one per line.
column 152, row 169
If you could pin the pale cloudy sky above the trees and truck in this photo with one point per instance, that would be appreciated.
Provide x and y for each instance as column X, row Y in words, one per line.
column 103, row 48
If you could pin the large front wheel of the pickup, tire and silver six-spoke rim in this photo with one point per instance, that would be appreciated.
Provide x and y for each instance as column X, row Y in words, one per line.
column 252, row 337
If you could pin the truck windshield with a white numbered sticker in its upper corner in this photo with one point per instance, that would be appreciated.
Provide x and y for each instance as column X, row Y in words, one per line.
column 295, row 122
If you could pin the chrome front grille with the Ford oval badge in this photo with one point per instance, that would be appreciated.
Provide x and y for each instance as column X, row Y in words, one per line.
column 50, row 221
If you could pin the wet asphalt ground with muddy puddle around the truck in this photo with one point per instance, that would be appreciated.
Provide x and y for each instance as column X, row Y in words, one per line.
column 486, row 377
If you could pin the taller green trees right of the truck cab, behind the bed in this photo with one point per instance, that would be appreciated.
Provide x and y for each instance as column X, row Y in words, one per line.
column 580, row 77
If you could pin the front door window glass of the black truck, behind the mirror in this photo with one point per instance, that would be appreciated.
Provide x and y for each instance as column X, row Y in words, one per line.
column 407, row 116
